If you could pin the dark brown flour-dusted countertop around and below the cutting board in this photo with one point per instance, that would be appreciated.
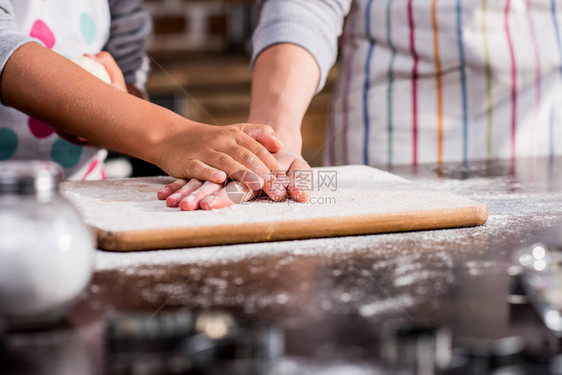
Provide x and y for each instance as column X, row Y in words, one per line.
column 335, row 300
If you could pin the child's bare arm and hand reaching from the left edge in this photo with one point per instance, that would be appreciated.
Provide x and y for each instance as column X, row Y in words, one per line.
column 54, row 90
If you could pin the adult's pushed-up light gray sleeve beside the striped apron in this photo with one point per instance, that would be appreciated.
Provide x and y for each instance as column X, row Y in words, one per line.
column 312, row 24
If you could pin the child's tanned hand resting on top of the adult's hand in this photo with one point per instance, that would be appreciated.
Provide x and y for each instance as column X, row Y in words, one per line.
column 210, row 153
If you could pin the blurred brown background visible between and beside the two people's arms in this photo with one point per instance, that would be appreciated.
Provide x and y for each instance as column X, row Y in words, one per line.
column 200, row 54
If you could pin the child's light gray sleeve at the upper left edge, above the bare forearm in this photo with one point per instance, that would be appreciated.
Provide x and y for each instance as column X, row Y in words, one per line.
column 11, row 37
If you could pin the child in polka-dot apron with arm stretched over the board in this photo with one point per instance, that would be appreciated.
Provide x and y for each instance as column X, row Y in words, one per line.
column 53, row 100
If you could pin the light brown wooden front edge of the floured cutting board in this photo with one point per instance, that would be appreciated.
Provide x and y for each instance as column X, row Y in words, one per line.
column 291, row 229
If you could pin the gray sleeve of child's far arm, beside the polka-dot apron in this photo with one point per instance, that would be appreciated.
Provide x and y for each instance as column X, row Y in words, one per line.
column 130, row 26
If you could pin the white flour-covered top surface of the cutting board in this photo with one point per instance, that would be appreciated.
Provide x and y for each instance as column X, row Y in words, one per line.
column 123, row 205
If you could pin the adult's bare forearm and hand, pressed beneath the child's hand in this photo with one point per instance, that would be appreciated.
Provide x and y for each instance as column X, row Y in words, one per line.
column 284, row 79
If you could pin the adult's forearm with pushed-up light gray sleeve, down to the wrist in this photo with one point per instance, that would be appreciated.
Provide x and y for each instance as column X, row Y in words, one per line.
column 295, row 45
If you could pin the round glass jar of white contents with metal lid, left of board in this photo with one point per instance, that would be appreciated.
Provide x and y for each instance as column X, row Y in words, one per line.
column 46, row 251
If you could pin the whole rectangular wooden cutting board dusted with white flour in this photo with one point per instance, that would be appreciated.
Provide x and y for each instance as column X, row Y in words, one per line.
column 351, row 200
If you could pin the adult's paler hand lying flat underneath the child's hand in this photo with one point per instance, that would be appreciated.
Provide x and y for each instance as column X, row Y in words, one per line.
column 194, row 194
